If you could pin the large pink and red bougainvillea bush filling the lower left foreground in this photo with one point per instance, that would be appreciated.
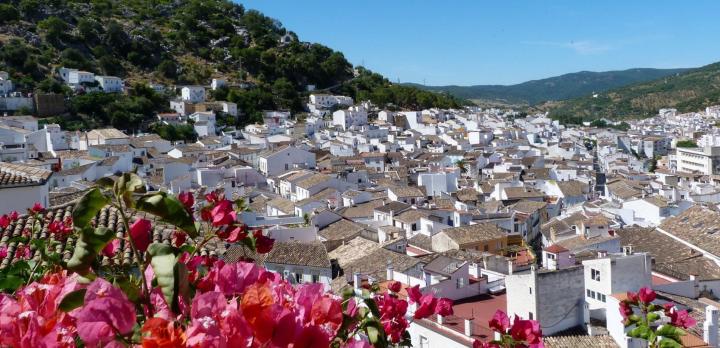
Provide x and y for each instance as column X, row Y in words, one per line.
column 173, row 295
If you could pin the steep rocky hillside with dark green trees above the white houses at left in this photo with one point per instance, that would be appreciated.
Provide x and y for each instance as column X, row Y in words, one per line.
column 176, row 42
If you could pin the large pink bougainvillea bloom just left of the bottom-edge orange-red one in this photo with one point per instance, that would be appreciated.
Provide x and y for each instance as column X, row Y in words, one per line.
column 106, row 312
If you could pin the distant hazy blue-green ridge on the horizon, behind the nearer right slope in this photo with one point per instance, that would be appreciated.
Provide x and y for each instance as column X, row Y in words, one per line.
column 554, row 88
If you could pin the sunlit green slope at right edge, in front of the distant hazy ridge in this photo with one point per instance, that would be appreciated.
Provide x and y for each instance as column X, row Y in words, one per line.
column 689, row 91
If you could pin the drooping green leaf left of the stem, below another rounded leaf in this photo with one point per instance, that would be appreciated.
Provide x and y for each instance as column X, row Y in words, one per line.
column 91, row 242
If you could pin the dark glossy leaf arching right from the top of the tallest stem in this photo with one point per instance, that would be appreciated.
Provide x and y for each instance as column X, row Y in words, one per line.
column 169, row 209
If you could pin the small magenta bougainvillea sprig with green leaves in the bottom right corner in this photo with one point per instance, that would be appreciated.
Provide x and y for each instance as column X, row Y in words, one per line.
column 659, row 325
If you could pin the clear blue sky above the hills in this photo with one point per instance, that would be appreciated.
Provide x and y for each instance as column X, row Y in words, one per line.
column 468, row 42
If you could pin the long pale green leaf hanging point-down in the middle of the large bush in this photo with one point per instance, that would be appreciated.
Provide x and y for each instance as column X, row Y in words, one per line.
column 169, row 275
